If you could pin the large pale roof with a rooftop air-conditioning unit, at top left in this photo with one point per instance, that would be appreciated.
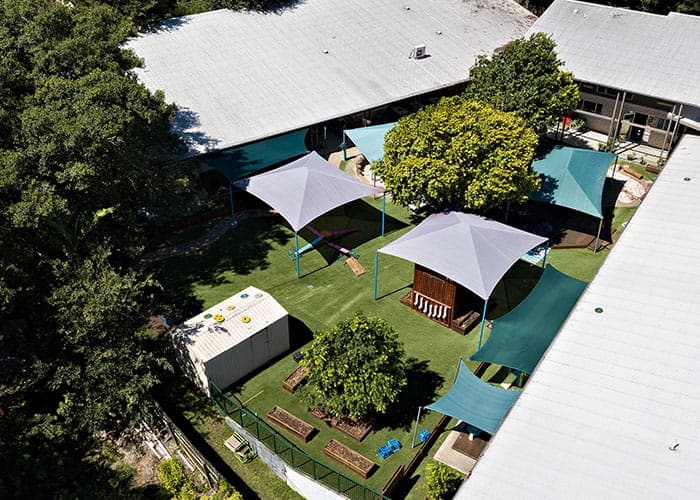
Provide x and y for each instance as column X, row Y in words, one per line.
column 242, row 76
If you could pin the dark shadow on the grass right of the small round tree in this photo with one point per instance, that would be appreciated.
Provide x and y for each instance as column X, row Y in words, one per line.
column 420, row 390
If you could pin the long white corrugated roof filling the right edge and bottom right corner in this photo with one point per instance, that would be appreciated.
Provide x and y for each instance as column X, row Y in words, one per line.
column 617, row 390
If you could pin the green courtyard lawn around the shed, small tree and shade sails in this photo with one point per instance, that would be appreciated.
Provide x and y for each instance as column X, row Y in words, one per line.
column 254, row 253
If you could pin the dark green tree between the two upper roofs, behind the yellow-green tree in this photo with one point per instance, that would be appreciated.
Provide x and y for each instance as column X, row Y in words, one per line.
column 525, row 78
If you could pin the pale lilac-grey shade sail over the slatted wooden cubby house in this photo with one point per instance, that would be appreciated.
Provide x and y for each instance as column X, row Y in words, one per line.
column 471, row 250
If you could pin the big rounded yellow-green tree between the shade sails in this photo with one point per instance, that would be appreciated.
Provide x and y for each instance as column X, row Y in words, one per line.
column 459, row 154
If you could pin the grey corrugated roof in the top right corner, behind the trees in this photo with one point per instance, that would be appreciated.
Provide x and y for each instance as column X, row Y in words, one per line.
column 643, row 53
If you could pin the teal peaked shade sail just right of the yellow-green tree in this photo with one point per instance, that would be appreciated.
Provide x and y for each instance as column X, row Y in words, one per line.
column 573, row 178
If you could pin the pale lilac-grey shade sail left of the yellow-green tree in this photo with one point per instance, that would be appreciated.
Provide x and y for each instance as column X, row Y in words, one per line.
column 305, row 189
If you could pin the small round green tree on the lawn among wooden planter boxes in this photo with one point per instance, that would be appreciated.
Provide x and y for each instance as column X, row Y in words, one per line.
column 355, row 369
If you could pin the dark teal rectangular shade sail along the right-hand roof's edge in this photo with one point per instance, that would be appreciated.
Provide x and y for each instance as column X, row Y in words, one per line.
column 520, row 337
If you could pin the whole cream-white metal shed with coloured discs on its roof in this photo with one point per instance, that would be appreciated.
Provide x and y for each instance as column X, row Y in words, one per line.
column 231, row 339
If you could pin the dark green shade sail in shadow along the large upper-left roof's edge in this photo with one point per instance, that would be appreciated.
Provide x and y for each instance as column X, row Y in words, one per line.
column 244, row 161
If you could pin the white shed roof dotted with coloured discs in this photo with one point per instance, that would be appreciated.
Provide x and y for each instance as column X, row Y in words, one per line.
column 206, row 338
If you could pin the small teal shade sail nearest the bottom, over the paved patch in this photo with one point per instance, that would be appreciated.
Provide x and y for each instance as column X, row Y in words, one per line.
column 475, row 402
